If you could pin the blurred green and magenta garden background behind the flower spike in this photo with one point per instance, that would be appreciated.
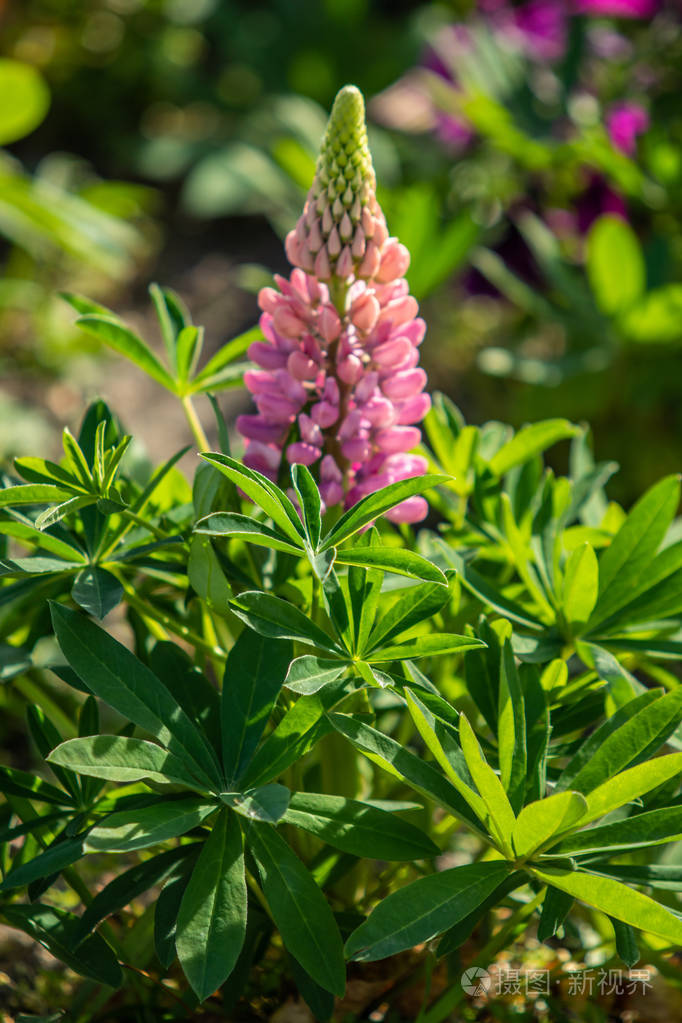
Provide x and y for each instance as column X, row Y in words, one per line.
column 530, row 155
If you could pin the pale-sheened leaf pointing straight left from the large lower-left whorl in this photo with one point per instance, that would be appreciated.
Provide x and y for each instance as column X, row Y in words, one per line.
column 120, row 759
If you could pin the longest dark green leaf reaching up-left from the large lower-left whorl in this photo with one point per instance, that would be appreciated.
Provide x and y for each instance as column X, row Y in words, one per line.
column 119, row 679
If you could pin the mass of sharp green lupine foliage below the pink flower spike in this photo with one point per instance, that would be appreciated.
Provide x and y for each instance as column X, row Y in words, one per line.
column 355, row 694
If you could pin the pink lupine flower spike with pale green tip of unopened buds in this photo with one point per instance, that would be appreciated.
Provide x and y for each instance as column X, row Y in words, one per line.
column 340, row 389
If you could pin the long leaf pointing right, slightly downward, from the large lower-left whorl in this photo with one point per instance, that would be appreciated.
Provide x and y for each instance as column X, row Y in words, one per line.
column 357, row 828
